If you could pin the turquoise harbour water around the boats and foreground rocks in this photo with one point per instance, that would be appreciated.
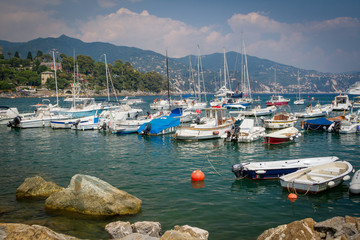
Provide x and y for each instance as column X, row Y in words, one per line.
column 157, row 170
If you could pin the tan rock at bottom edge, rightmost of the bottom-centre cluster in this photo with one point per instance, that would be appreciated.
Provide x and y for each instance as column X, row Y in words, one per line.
column 185, row 233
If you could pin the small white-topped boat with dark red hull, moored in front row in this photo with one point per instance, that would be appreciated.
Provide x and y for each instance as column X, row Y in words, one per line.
column 282, row 136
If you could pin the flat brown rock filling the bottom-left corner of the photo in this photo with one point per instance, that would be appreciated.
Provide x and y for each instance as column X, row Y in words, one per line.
column 16, row 231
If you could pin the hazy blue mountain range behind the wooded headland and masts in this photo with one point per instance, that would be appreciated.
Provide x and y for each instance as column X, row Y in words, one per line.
column 261, row 70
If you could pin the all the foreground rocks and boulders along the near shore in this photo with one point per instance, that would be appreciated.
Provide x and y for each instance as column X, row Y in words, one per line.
column 90, row 195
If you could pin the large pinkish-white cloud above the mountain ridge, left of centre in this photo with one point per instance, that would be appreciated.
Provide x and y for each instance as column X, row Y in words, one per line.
column 147, row 31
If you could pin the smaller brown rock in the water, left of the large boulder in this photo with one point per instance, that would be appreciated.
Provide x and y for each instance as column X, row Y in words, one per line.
column 36, row 187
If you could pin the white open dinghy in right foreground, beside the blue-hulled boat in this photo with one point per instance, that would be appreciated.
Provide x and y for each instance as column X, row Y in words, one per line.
column 317, row 178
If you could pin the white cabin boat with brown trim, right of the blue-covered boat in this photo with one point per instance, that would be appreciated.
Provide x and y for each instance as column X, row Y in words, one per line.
column 212, row 126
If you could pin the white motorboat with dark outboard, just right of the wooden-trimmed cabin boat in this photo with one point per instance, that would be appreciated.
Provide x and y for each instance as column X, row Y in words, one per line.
column 246, row 132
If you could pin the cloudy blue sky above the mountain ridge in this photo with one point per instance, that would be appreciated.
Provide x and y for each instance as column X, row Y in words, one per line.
column 322, row 35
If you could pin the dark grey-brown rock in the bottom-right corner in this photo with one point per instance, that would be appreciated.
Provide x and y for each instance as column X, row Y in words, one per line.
column 339, row 227
